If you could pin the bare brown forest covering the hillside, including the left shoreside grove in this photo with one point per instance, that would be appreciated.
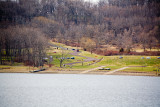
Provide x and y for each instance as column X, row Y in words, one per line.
column 26, row 26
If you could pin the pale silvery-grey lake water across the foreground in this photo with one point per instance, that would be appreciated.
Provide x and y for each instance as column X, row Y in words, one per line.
column 54, row 90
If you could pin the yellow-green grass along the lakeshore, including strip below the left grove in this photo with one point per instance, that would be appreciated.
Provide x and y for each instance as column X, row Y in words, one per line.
column 112, row 62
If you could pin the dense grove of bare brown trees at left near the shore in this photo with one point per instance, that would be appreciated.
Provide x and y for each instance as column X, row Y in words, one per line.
column 22, row 44
